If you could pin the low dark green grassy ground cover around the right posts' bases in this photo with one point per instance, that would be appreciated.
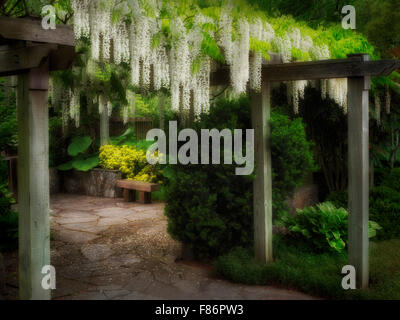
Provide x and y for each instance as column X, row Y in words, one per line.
column 319, row 274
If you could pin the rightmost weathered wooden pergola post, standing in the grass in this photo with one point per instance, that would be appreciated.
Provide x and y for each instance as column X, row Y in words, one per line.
column 358, row 101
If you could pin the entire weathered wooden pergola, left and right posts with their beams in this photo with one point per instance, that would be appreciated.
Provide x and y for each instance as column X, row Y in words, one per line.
column 31, row 52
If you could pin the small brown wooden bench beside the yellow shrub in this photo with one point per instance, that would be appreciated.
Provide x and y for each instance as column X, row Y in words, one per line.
column 130, row 186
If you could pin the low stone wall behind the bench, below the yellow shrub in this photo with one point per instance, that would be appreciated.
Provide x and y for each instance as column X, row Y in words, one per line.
column 96, row 182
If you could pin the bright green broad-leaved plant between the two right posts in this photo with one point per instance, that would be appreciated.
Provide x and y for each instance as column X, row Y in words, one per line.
column 323, row 228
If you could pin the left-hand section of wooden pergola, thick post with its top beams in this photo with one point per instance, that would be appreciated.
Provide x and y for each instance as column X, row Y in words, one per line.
column 29, row 51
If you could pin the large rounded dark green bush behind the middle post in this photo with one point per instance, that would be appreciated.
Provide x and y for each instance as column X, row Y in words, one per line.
column 209, row 207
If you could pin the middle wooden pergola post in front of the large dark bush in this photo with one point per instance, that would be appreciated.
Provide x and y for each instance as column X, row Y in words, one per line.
column 262, row 185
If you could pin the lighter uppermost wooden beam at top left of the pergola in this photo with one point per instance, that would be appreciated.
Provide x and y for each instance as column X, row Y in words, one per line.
column 29, row 29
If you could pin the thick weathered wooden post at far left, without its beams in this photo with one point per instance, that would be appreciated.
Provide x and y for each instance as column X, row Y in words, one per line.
column 33, row 182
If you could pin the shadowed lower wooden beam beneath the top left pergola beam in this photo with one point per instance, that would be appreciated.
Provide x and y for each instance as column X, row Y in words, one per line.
column 20, row 60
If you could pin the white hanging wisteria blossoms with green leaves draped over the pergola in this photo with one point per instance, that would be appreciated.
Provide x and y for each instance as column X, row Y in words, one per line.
column 170, row 51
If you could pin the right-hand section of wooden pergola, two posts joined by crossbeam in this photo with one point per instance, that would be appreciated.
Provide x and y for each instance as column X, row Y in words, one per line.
column 358, row 69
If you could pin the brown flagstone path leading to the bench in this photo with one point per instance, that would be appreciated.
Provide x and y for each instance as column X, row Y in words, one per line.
column 108, row 249
